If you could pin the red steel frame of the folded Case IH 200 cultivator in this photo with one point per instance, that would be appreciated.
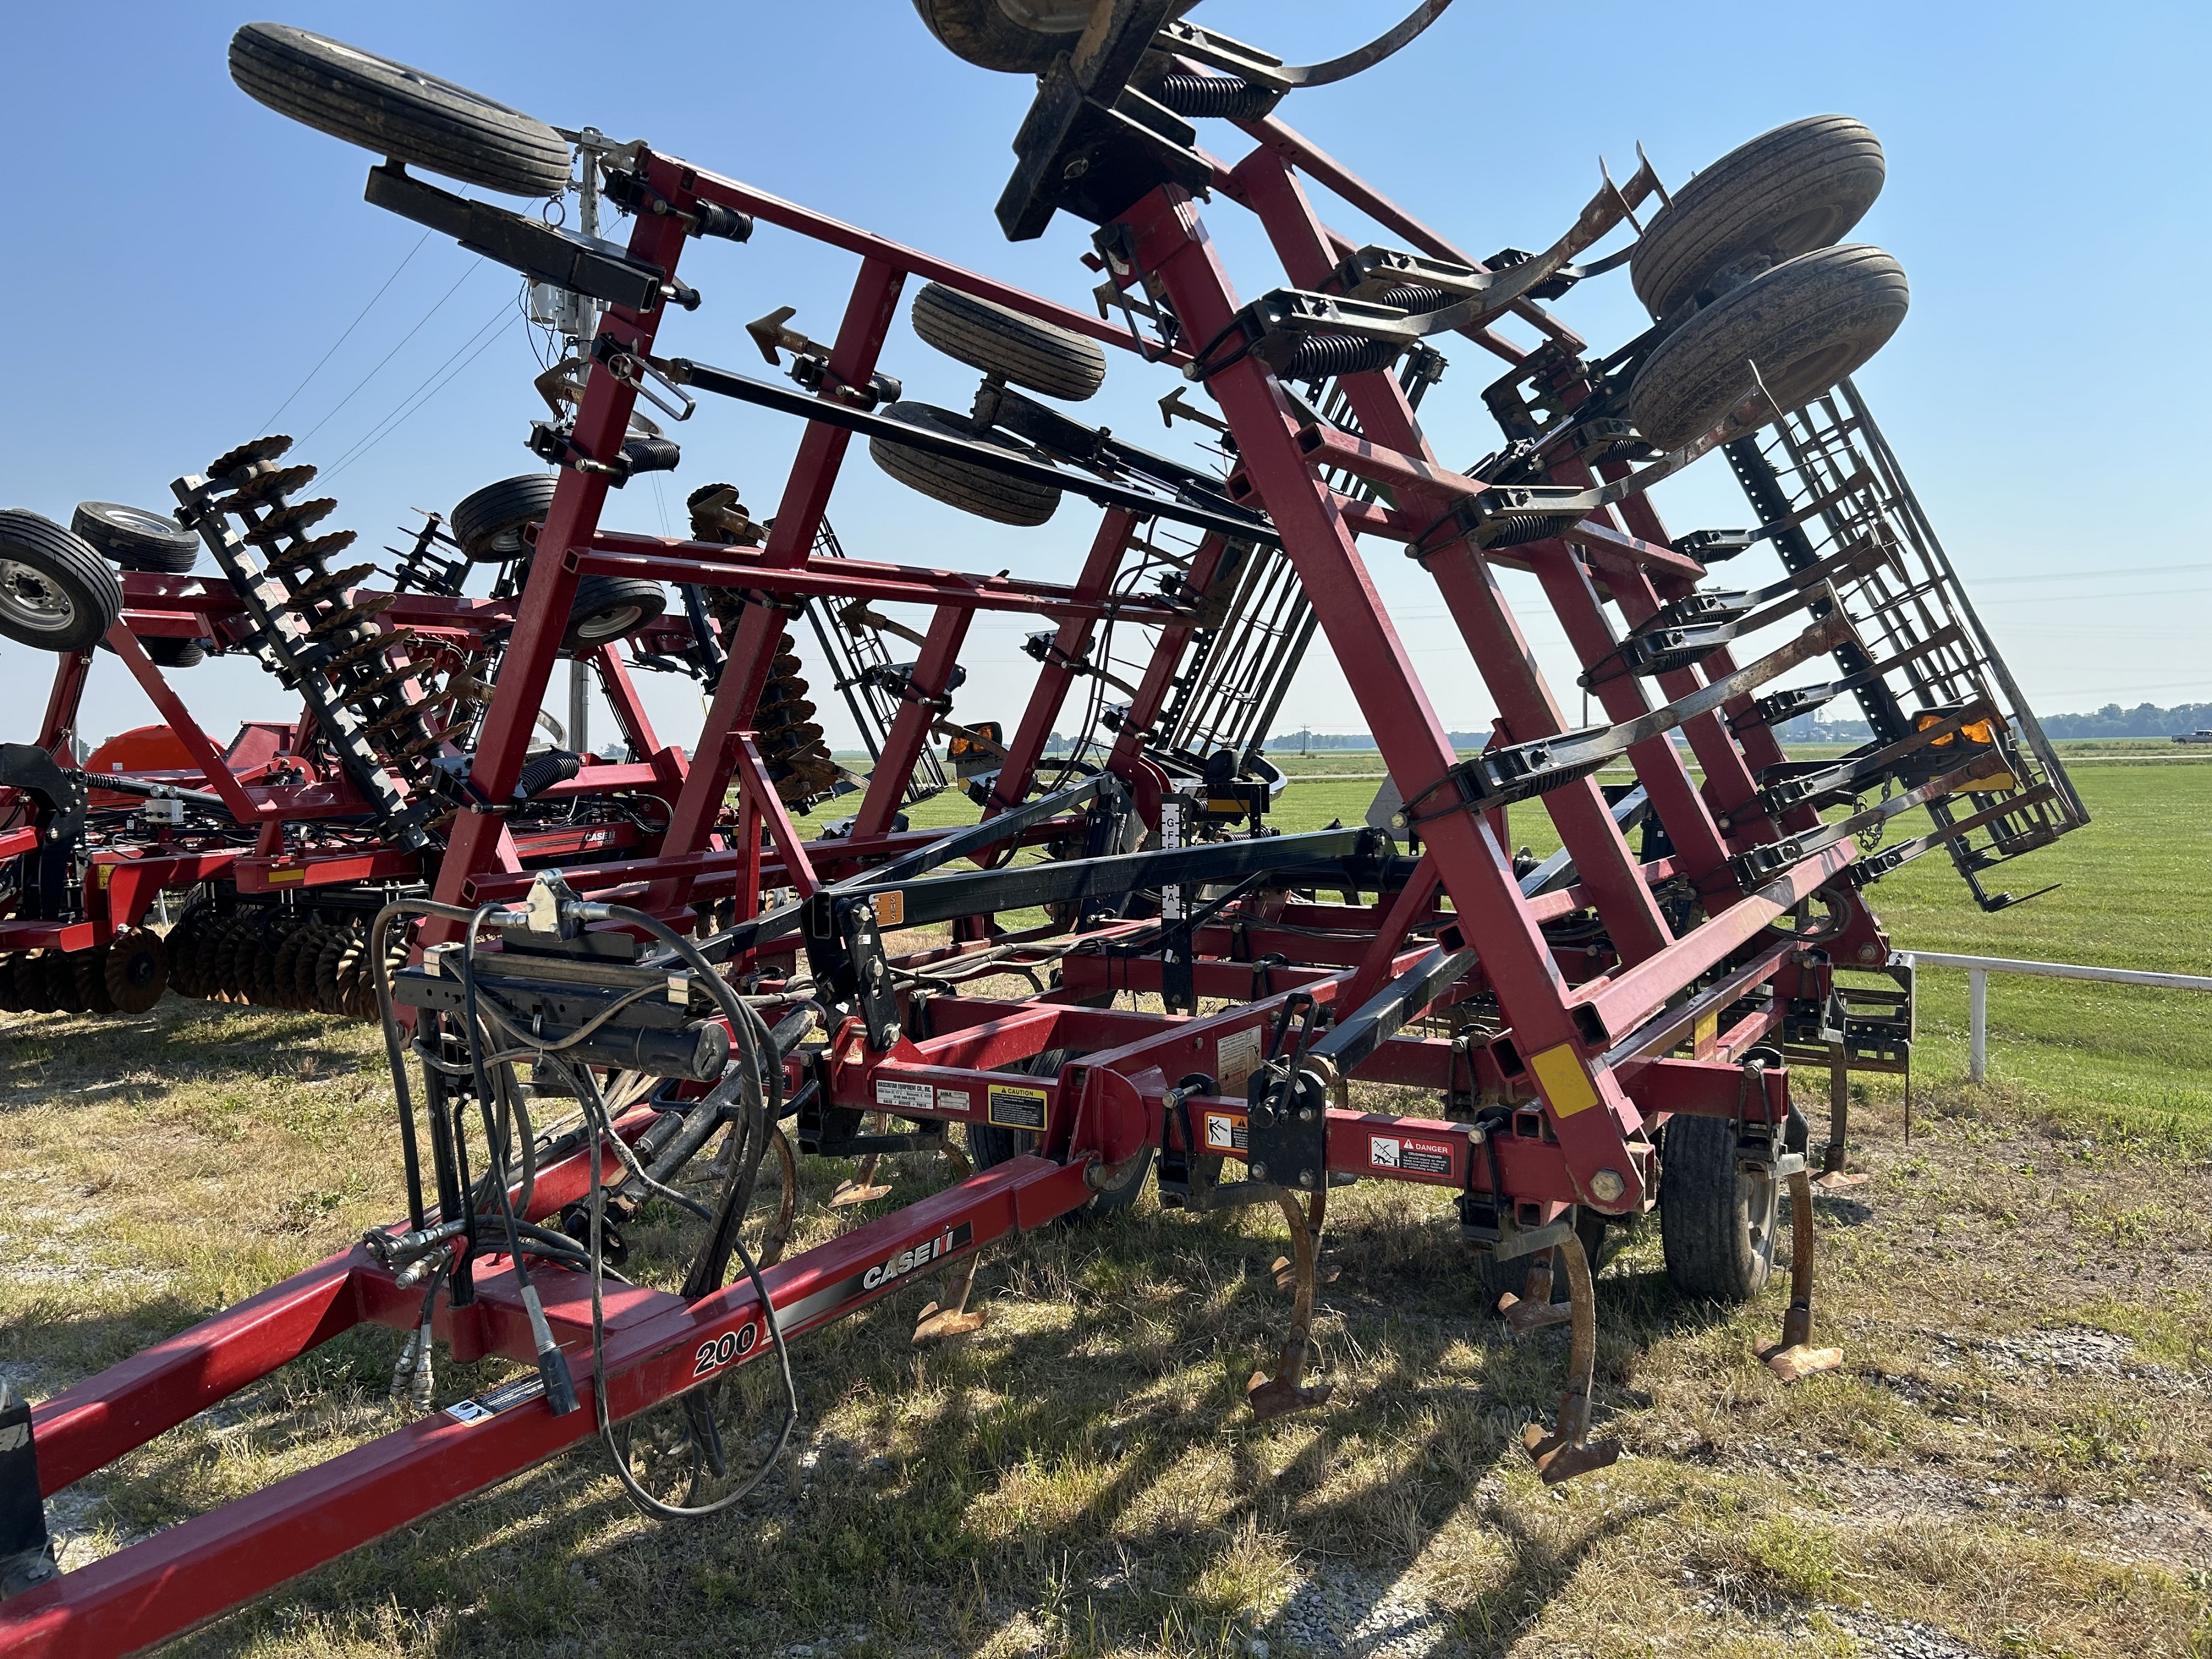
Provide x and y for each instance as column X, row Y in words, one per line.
column 1589, row 1058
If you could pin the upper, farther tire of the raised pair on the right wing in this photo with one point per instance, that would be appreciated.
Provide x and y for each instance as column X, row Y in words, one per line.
column 1782, row 196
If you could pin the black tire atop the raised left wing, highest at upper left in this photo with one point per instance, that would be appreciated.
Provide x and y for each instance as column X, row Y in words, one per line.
column 397, row 112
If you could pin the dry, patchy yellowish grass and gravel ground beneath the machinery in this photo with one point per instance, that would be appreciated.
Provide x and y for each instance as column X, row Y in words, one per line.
column 2014, row 1461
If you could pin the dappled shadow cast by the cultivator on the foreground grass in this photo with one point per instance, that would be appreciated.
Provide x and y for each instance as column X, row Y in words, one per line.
column 1087, row 1477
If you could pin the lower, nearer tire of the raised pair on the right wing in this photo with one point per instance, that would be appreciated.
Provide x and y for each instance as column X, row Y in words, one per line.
column 1806, row 326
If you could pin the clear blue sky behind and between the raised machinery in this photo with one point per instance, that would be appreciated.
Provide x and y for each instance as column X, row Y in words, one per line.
column 182, row 258
